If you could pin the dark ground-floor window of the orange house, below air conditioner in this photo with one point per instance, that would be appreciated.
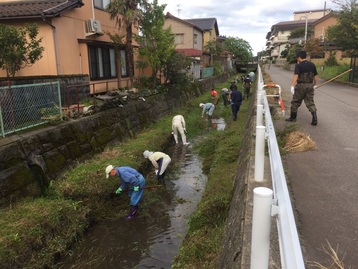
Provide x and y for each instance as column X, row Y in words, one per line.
column 102, row 62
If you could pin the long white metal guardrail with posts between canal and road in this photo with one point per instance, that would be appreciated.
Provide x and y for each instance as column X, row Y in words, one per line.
column 268, row 203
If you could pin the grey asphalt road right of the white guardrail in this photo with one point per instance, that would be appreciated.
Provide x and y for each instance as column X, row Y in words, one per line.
column 324, row 182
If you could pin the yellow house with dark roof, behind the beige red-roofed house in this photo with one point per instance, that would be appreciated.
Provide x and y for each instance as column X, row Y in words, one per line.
column 211, row 33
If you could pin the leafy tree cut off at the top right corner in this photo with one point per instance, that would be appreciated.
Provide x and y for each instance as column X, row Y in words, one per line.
column 345, row 33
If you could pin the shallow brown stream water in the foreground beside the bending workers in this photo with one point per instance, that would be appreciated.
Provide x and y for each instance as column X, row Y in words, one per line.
column 147, row 242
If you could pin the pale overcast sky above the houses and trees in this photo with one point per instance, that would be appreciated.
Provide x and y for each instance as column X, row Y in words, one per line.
column 246, row 19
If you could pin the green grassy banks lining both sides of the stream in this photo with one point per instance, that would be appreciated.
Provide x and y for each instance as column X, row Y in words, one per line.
column 36, row 232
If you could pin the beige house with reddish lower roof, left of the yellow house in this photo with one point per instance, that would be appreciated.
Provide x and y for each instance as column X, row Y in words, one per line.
column 189, row 39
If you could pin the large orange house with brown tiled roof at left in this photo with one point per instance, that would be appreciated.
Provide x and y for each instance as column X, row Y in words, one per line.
column 74, row 38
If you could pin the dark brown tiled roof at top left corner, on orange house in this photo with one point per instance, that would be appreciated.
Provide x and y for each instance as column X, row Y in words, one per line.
column 35, row 8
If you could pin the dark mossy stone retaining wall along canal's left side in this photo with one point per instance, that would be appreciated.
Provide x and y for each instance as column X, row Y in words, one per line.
column 29, row 161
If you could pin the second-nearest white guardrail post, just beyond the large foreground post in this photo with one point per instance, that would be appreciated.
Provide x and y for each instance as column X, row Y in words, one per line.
column 260, row 153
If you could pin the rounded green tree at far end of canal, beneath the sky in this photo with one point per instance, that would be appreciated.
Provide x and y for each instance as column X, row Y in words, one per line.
column 239, row 48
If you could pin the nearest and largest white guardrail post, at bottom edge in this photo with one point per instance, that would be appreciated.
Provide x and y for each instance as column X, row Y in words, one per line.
column 261, row 226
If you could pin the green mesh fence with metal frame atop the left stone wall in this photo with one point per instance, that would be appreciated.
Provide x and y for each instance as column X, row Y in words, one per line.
column 27, row 106
